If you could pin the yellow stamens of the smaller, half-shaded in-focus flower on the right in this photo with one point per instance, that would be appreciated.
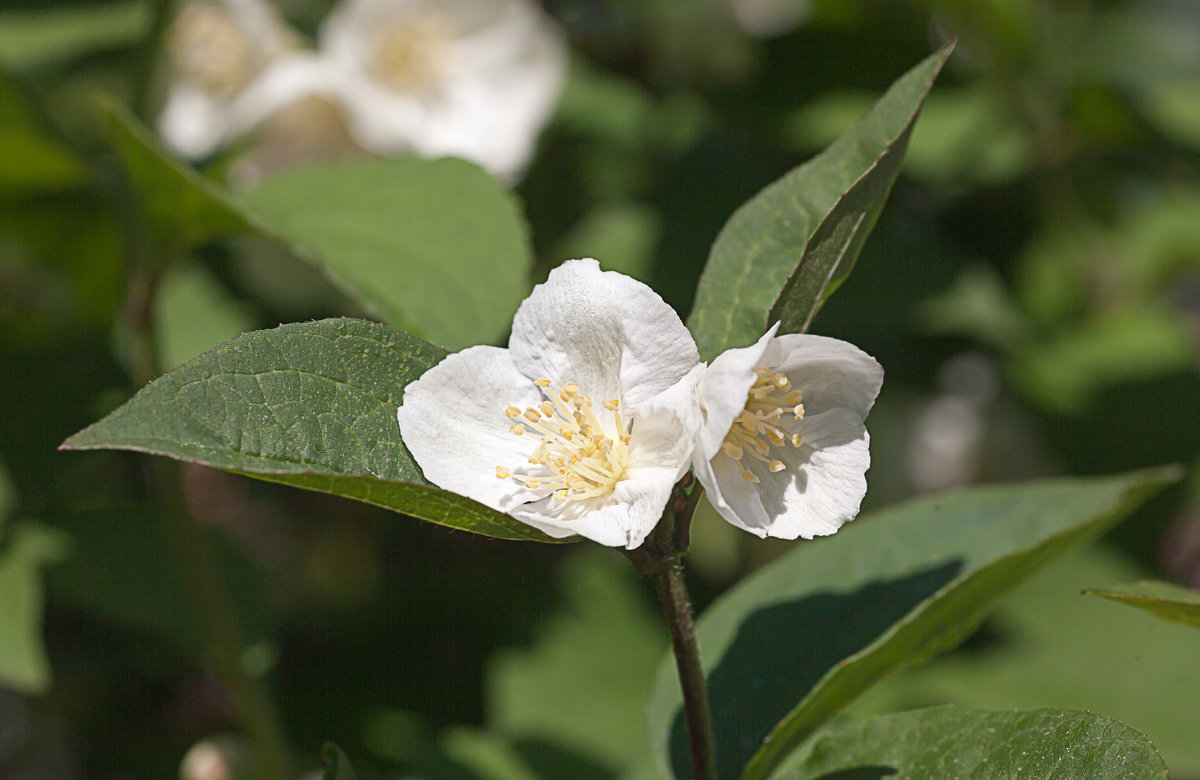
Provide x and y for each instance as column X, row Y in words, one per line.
column 759, row 427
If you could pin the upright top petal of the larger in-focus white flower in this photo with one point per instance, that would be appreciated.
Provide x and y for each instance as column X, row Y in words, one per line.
column 608, row 333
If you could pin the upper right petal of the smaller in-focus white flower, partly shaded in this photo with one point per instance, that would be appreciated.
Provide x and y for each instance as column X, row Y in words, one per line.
column 829, row 373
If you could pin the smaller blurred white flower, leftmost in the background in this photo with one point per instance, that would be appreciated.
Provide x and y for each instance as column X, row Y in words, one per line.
column 219, row 49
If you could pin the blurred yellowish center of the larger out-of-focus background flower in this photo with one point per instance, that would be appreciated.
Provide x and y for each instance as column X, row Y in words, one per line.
column 412, row 56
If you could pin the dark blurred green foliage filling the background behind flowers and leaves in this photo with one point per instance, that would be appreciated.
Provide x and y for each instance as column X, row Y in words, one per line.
column 1033, row 291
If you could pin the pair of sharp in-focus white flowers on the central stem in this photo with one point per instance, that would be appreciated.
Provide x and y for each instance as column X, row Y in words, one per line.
column 601, row 405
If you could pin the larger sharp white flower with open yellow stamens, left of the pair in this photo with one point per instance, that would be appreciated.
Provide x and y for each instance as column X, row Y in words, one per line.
column 581, row 427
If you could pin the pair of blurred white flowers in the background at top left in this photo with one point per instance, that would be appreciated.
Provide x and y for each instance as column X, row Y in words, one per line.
column 469, row 79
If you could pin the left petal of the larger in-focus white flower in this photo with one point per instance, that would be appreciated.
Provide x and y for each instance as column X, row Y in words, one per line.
column 453, row 423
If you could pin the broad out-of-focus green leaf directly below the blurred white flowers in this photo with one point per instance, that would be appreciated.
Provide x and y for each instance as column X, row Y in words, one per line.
column 434, row 247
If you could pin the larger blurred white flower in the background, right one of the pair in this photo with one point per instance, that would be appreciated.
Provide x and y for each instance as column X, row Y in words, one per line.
column 467, row 79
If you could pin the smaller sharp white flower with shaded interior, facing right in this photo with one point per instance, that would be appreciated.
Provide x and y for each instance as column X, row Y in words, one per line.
column 783, row 451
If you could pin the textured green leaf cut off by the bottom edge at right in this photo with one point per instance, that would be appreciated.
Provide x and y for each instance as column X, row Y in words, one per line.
column 951, row 742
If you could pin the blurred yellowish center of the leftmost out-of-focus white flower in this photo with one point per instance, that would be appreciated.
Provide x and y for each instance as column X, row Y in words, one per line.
column 212, row 50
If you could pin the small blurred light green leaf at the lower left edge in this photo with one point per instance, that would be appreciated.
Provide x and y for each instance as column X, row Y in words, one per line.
column 25, row 550
